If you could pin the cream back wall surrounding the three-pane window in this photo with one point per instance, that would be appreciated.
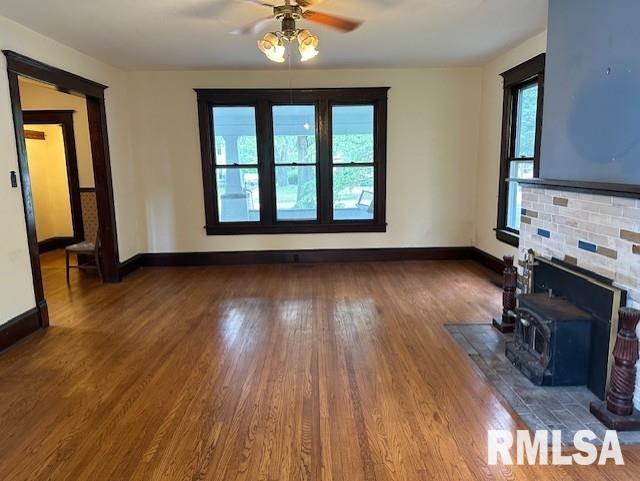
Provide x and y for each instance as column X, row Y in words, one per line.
column 432, row 139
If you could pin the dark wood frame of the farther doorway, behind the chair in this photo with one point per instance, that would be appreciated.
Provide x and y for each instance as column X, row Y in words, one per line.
column 64, row 118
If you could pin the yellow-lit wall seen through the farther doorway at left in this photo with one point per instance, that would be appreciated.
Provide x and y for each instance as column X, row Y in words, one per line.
column 49, row 183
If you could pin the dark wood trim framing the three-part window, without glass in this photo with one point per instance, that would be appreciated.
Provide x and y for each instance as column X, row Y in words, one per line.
column 263, row 100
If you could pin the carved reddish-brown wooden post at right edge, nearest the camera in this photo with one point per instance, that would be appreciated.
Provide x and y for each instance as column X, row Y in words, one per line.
column 617, row 411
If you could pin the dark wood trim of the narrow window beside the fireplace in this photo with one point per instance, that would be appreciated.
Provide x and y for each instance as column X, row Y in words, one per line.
column 531, row 71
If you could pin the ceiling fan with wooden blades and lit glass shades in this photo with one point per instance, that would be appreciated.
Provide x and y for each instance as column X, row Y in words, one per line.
column 273, row 43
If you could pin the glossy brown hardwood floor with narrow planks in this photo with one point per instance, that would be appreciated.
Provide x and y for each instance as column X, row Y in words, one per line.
column 338, row 372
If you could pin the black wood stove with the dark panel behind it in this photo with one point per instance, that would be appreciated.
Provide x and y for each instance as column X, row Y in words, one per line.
column 567, row 321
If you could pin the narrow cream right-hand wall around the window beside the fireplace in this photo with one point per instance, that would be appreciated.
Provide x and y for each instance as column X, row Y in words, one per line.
column 488, row 169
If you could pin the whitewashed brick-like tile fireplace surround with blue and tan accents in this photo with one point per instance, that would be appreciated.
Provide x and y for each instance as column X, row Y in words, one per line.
column 600, row 233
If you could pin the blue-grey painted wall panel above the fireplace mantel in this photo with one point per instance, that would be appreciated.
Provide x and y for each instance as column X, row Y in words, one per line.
column 591, row 124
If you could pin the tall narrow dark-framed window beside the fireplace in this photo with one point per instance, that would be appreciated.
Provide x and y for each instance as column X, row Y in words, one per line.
column 520, row 153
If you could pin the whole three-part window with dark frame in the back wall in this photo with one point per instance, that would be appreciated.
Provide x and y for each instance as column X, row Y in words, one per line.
column 293, row 161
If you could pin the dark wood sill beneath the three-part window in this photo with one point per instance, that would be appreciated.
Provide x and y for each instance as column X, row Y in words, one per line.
column 235, row 229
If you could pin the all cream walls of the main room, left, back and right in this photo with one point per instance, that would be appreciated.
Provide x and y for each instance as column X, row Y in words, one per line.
column 443, row 155
